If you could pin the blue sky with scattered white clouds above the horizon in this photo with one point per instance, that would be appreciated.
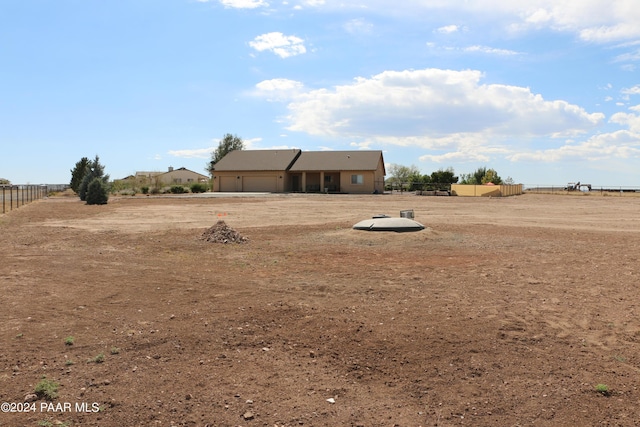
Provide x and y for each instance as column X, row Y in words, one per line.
column 543, row 91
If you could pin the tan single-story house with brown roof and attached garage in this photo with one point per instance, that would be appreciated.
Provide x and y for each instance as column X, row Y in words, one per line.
column 278, row 171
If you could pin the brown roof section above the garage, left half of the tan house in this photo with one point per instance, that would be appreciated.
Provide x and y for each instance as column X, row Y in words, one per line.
column 257, row 160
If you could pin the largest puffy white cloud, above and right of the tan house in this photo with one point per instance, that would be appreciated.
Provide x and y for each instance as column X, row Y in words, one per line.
column 433, row 108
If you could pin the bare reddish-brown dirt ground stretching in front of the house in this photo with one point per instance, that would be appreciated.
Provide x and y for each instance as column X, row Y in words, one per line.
column 503, row 312
